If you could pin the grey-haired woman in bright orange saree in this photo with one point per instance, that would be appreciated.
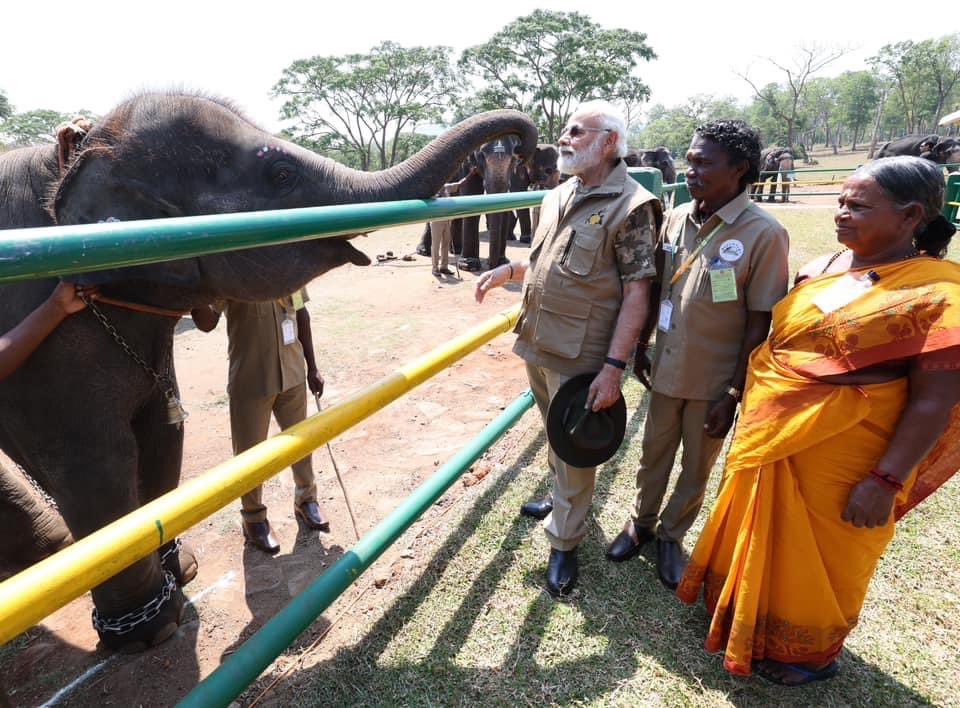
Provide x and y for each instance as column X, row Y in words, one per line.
column 850, row 418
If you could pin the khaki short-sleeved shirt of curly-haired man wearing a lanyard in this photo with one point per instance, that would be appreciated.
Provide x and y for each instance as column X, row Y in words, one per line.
column 697, row 357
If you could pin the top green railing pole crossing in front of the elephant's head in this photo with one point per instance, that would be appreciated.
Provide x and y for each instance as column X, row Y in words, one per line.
column 60, row 250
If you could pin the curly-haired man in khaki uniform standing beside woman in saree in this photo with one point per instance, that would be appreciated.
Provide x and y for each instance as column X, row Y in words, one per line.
column 722, row 265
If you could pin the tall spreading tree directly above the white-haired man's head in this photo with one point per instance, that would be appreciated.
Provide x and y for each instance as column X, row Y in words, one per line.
column 547, row 62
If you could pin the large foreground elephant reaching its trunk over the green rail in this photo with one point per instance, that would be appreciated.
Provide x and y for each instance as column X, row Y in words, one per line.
column 82, row 416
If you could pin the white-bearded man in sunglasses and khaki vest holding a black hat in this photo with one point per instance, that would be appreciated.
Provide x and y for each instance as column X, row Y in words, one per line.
column 585, row 297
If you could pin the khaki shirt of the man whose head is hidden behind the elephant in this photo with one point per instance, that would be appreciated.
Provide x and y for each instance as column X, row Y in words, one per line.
column 261, row 364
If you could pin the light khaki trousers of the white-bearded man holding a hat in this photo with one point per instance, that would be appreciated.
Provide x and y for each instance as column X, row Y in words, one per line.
column 572, row 486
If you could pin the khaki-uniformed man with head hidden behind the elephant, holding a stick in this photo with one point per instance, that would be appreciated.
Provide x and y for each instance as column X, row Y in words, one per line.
column 268, row 343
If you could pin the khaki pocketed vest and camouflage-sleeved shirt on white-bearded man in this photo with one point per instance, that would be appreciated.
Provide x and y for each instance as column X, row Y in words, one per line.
column 588, row 242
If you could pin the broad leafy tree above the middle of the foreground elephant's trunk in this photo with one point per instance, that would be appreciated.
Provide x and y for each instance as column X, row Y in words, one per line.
column 361, row 104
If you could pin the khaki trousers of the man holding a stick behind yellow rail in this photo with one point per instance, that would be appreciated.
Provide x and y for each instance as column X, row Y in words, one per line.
column 249, row 423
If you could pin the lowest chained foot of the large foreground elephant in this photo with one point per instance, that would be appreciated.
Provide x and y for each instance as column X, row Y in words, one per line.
column 147, row 626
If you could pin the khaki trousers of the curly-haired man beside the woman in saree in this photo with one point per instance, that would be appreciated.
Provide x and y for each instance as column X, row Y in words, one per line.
column 670, row 421
